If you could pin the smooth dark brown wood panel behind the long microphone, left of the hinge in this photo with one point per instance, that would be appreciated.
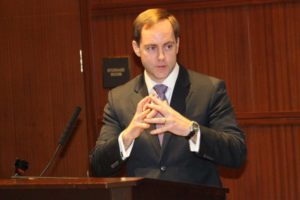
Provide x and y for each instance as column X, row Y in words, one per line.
column 41, row 84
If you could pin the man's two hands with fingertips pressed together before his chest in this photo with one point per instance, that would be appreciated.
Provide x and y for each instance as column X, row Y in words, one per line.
column 147, row 114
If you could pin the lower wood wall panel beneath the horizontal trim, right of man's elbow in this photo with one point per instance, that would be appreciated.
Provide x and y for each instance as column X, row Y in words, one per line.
column 272, row 168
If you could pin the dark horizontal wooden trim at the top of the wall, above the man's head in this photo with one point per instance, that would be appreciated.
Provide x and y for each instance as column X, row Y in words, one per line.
column 100, row 9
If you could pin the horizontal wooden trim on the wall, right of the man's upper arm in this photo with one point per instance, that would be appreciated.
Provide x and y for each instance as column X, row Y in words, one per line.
column 269, row 118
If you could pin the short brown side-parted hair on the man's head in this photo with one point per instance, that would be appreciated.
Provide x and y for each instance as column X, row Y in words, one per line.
column 149, row 18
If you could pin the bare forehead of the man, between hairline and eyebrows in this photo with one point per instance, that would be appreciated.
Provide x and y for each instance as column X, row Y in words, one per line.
column 158, row 32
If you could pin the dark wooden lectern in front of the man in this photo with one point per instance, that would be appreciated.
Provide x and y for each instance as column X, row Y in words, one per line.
column 37, row 188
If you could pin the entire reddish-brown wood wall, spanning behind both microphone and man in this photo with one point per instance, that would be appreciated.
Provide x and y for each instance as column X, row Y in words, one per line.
column 254, row 45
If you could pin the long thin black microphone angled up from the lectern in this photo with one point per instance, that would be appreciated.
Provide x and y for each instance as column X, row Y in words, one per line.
column 64, row 137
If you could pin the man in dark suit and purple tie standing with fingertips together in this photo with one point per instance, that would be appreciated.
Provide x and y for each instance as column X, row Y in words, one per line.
column 193, row 115
